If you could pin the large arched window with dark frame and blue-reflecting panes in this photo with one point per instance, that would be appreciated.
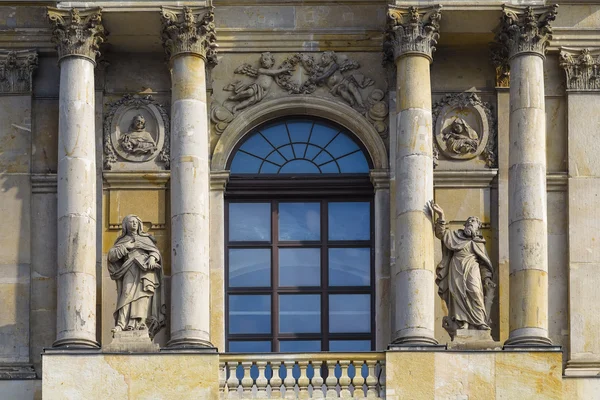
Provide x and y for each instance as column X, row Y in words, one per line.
column 299, row 236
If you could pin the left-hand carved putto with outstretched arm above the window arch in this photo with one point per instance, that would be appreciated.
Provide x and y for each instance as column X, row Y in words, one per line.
column 248, row 94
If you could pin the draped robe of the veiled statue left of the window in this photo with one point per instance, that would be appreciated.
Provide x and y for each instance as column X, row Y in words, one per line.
column 138, row 287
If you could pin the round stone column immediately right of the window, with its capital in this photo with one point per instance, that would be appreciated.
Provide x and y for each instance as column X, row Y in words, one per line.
column 411, row 37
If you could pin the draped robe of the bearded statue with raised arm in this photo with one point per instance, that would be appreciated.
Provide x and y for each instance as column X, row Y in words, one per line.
column 460, row 275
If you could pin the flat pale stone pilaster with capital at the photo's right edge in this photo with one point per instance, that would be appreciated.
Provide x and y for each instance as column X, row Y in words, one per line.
column 583, row 102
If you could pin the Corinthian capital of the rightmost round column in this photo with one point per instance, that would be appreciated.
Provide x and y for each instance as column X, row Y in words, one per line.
column 525, row 29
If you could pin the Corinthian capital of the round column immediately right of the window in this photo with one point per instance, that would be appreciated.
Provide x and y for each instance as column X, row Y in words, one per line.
column 412, row 30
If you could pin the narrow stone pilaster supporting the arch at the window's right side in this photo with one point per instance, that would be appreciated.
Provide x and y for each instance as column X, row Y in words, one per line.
column 381, row 184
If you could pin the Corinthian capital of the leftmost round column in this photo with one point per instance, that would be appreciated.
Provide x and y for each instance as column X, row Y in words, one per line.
column 77, row 32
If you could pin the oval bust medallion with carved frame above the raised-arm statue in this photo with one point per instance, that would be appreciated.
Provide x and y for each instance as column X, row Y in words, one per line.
column 464, row 128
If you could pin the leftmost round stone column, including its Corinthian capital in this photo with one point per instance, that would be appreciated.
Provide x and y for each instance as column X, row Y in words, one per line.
column 77, row 34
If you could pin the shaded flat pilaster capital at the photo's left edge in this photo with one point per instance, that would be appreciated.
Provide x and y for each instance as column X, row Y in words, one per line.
column 16, row 70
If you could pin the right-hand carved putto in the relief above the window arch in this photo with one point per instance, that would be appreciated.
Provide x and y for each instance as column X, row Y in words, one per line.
column 329, row 72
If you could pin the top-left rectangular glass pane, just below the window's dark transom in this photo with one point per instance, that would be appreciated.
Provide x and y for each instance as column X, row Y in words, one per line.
column 249, row 222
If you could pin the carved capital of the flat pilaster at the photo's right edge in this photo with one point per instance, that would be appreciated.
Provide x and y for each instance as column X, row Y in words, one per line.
column 582, row 68
